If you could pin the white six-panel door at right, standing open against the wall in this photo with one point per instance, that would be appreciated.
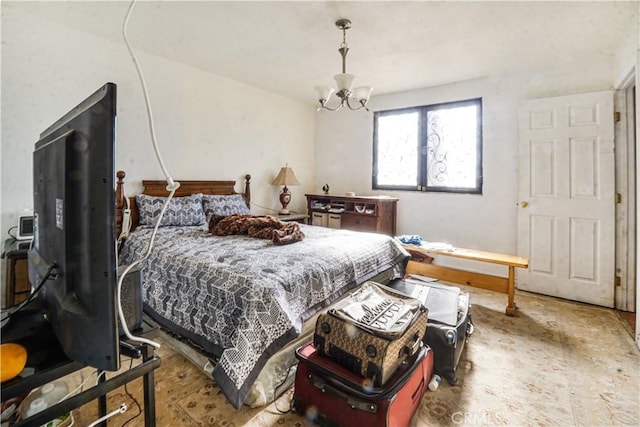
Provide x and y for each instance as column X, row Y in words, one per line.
column 566, row 212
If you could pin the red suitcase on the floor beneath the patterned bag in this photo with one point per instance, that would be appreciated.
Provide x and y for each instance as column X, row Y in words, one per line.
column 330, row 395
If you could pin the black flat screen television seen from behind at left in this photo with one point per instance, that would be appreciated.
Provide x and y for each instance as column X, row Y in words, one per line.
column 75, row 232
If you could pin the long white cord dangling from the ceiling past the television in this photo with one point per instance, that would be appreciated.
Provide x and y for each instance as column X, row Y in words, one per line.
column 172, row 186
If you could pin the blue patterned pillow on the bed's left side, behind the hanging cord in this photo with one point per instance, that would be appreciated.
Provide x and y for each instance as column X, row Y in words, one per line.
column 181, row 211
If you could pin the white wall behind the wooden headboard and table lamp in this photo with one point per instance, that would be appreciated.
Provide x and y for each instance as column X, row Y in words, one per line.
column 208, row 127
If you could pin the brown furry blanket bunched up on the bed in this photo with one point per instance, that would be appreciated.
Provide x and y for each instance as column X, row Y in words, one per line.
column 260, row 226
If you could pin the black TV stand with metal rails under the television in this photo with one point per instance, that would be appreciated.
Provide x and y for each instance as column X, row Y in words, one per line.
column 49, row 363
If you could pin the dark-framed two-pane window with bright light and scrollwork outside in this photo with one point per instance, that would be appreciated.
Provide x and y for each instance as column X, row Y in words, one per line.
column 430, row 148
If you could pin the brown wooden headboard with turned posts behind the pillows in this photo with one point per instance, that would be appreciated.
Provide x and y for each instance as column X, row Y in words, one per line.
column 187, row 187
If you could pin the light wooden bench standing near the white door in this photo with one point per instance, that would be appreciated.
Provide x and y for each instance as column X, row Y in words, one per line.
column 420, row 263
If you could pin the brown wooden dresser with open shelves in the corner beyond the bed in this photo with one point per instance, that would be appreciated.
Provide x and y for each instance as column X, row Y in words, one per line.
column 360, row 213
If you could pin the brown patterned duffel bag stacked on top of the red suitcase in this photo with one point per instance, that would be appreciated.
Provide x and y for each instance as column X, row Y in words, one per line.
column 372, row 331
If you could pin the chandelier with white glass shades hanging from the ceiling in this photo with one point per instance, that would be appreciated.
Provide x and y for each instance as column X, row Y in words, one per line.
column 344, row 81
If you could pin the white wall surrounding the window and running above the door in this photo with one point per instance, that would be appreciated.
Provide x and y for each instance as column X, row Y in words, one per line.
column 487, row 221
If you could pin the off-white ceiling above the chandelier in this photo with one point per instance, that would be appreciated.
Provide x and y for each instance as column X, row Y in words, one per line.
column 289, row 47
